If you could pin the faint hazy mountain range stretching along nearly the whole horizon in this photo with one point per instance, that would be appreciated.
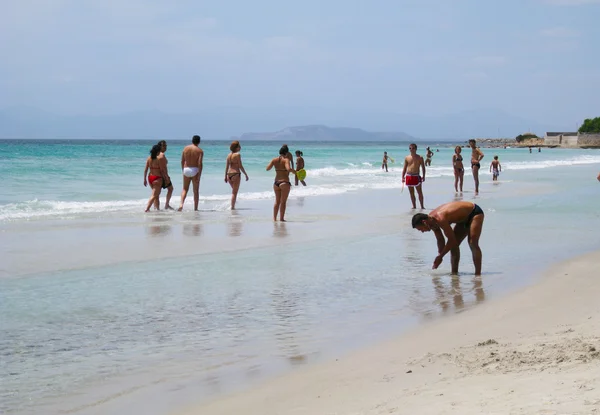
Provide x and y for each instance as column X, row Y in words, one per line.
column 224, row 122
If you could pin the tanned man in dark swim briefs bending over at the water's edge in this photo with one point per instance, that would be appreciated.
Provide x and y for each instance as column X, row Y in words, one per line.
column 468, row 219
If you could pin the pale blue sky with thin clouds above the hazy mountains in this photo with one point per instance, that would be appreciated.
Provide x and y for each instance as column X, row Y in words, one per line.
column 534, row 58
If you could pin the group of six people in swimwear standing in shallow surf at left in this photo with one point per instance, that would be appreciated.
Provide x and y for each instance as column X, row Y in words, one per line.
column 156, row 174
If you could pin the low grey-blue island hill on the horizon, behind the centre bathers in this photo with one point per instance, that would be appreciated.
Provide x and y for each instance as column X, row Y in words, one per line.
column 324, row 133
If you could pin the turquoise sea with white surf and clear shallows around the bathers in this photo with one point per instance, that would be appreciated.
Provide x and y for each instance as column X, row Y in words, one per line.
column 106, row 309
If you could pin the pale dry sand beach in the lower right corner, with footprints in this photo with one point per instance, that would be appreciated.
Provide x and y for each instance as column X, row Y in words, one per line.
column 542, row 357
